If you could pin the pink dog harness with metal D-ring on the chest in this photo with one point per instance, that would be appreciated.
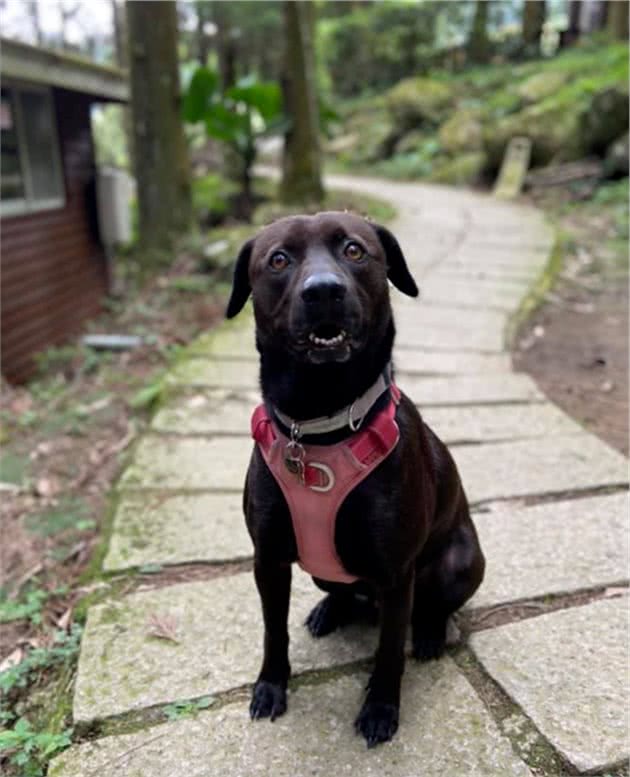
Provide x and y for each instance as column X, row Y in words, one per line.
column 315, row 479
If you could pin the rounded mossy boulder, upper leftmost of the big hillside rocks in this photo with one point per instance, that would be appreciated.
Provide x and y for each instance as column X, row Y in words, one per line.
column 414, row 102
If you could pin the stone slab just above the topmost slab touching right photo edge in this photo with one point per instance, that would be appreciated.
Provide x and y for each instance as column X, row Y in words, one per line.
column 488, row 423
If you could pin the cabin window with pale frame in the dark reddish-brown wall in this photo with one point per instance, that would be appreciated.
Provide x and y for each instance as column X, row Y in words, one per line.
column 30, row 170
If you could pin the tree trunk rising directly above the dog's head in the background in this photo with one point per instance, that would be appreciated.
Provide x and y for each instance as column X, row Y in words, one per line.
column 301, row 166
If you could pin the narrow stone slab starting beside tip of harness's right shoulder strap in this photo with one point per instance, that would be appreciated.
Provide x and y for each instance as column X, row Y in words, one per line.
column 470, row 389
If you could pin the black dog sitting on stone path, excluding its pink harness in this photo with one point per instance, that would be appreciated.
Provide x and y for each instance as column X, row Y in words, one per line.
column 324, row 330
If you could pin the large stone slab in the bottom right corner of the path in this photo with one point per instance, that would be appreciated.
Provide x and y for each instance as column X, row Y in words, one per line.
column 568, row 670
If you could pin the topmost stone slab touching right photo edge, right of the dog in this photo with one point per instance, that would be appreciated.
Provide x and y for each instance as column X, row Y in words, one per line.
column 535, row 467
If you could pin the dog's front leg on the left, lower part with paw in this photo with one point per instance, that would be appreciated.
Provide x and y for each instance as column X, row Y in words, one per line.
column 269, row 697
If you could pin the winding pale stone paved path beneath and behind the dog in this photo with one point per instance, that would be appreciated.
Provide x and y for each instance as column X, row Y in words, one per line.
column 540, row 686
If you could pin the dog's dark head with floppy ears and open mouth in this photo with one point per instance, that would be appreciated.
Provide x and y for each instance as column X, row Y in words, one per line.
column 319, row 284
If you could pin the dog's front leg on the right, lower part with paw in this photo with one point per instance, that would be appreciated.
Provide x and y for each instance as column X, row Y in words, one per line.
column 378, row 718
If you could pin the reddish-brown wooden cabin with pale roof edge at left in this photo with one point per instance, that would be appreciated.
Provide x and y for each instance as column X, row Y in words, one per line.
column 53, row 266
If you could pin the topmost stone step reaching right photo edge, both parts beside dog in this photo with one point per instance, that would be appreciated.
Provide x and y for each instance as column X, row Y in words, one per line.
column 489, row 471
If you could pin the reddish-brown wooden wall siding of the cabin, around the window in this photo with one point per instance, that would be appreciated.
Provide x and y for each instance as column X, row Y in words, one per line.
column 53, row 266
